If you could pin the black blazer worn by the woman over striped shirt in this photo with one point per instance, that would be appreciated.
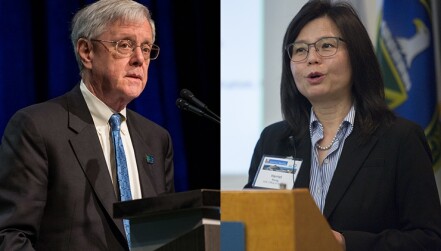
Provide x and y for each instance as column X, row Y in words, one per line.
column 383, row 194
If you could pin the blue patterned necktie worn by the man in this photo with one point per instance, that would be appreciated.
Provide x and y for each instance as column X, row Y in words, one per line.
column 121, row 166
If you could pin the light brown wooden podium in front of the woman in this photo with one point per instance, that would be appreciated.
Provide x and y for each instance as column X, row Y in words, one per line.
column 278, row 220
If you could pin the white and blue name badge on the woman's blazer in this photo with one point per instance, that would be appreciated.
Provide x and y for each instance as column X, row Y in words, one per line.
column 277, row 172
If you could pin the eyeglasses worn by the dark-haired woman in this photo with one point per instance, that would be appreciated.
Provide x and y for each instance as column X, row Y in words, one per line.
column 325, row 47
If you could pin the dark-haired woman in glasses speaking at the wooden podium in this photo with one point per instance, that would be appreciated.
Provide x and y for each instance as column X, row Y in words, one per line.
column 369, row 171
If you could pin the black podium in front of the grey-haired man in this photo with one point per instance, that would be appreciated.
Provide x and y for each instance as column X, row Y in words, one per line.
column 171, row 222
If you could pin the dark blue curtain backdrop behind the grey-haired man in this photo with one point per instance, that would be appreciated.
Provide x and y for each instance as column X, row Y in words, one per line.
column 37, row 63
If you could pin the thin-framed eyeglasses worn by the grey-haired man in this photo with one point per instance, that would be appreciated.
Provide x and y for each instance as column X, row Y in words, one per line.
column 127, row 47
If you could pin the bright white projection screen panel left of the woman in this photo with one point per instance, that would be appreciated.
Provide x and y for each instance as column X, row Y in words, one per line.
column 241, row 80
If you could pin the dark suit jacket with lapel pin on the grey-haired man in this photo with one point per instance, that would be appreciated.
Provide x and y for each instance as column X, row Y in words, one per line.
column 55, row 189
